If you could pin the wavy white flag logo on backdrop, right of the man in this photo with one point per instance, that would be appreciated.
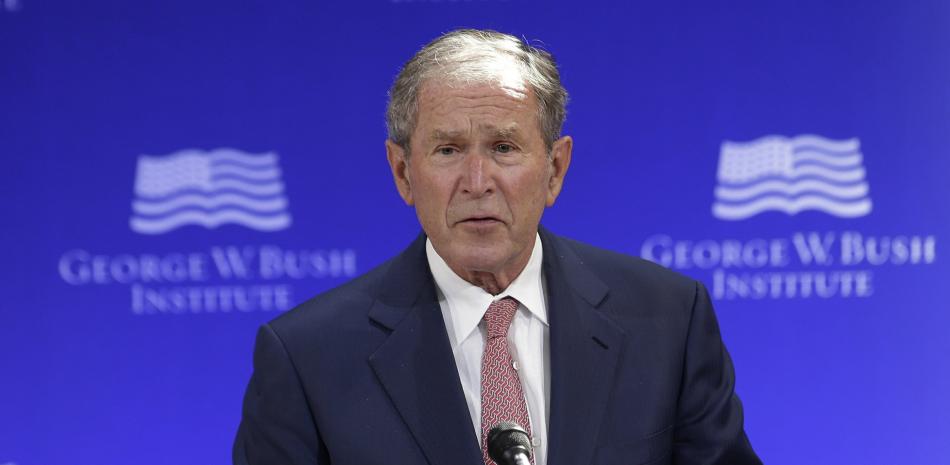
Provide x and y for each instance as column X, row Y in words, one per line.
column 791, row 175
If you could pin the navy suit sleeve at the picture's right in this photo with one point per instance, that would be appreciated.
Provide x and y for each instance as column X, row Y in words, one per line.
column 709, row 429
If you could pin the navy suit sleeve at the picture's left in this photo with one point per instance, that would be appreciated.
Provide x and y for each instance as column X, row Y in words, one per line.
column 277, row 427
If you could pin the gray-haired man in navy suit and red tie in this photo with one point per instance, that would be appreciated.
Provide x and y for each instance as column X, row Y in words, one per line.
column 487, row 316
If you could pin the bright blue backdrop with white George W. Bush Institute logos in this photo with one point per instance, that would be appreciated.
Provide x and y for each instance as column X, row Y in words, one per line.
column 176, row 173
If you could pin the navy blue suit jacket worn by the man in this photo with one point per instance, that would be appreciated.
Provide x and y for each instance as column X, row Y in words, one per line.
column 364, row 374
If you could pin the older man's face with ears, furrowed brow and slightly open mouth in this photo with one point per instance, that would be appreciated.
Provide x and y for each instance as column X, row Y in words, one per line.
column 479, row 175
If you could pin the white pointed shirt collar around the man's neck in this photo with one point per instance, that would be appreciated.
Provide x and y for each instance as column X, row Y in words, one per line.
column 468, row 303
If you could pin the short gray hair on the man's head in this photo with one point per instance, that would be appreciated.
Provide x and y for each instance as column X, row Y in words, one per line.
column 477, row 56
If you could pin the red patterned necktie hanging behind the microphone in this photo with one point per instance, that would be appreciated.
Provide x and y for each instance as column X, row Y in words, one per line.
column 502, row 394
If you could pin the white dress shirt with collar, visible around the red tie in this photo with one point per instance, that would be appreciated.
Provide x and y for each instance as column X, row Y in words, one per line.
column 463, row 306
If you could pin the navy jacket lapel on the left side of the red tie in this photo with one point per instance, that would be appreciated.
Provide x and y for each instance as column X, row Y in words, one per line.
column 415, row 364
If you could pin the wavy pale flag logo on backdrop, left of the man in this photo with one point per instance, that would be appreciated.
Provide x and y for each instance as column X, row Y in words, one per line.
column 208, row 189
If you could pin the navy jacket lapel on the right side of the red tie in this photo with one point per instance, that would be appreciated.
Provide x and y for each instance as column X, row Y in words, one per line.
column 585, row 348
